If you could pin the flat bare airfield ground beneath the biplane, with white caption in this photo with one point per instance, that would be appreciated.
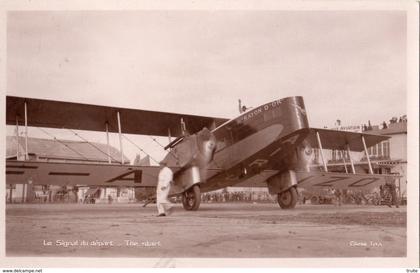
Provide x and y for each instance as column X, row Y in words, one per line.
column 229, row 230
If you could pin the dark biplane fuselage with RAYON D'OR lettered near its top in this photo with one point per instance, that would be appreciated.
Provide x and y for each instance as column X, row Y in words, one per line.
column 254, row 141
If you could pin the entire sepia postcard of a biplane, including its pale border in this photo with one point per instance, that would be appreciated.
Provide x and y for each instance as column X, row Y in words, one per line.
column 208, row 133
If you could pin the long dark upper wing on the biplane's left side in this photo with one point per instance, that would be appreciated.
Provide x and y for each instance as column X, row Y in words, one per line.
column 58, row 114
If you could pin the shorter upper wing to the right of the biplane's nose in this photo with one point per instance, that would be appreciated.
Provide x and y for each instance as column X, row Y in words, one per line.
column 338, row 140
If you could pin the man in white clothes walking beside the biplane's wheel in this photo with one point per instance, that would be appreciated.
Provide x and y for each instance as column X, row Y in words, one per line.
column 162, row 191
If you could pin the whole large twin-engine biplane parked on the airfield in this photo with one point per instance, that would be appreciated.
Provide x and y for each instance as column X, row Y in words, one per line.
column 266, row 146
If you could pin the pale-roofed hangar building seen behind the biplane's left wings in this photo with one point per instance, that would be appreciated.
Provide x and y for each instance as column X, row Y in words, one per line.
column 62, row 151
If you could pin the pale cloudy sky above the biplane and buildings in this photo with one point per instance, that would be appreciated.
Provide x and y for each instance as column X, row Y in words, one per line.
column 348, row 65
